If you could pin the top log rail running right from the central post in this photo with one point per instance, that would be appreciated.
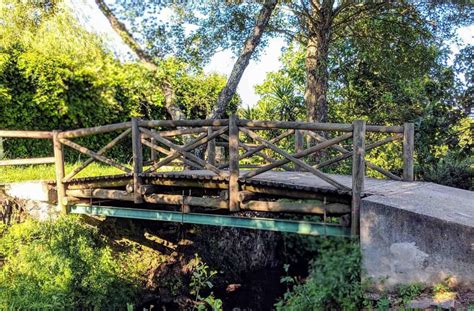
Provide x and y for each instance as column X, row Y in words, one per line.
column 253, row 124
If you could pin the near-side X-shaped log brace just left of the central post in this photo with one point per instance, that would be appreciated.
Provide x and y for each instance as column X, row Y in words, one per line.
column 182, row 151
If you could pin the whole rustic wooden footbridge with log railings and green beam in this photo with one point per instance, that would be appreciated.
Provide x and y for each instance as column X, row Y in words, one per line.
column 168, row 179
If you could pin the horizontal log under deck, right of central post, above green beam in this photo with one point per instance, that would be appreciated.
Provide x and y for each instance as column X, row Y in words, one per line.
column 318, row 208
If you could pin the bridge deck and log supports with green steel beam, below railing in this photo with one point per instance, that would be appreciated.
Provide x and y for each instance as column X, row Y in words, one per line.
column 201, row 197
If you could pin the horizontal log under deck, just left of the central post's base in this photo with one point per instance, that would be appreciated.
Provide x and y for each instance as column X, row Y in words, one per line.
column 177, row 199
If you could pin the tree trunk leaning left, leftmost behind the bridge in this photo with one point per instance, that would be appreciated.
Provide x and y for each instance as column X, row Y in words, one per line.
column 170, row 101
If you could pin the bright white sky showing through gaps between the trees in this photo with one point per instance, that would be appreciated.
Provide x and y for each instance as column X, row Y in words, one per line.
column 93, row 19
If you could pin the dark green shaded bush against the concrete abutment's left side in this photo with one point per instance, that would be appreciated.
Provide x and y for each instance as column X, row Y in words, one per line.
column 333, row 283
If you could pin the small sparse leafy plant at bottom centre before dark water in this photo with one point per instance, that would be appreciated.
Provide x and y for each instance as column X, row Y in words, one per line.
column 200, row 281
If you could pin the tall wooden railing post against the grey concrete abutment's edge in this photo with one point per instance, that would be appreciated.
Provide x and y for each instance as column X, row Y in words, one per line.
column 358, row 173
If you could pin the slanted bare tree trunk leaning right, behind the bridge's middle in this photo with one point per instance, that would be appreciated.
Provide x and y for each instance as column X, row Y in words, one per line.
column 242, row 62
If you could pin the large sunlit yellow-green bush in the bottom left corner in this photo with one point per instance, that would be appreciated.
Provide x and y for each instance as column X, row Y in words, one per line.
column 60, row 264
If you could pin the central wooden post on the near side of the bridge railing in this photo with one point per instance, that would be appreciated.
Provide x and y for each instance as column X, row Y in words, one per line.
column 233, row 164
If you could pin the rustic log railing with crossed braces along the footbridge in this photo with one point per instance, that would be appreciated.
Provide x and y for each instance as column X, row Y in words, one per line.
column 175, row 142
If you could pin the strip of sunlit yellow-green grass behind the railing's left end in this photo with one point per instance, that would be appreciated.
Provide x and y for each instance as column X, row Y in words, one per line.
column 47, row 172
